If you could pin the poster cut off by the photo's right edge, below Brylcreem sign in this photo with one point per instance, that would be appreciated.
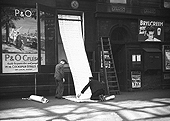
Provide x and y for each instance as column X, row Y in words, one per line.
column 167, row 58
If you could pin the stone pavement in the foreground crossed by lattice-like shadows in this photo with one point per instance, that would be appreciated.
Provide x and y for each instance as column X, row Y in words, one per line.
column 150, row 105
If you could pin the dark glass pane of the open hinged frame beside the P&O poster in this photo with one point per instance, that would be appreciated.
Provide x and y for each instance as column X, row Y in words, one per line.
column 47, row 36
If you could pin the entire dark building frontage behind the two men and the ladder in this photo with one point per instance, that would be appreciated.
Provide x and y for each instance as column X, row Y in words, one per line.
column 139, row 64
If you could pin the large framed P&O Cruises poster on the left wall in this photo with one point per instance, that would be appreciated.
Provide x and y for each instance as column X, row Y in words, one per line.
column 19, row 40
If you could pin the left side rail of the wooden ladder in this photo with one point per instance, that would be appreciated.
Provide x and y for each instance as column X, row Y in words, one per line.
column 104, row 67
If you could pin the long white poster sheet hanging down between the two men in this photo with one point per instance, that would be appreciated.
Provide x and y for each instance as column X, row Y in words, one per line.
column 71, row 34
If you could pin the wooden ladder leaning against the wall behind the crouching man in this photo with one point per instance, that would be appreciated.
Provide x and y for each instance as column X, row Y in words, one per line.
column 109, row 70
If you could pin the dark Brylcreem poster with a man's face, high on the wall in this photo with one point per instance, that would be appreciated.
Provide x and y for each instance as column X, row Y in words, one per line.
column 151, row 31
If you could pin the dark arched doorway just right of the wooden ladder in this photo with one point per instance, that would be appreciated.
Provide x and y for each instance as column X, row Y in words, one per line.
column 119, row 36
